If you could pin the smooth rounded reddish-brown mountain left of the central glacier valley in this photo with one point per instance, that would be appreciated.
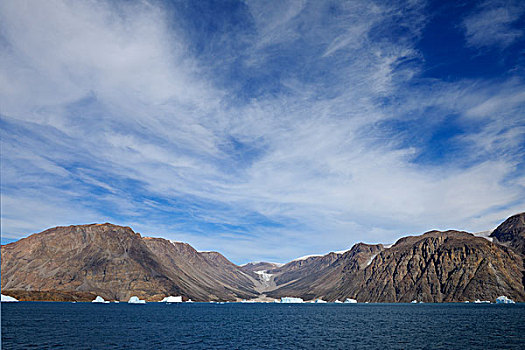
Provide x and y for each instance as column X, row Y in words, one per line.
column 115, row 262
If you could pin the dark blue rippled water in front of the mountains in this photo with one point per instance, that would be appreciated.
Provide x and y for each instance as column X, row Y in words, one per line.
column 38, row 325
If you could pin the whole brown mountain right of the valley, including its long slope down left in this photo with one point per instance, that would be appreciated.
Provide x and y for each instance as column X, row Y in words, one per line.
column 434, row 267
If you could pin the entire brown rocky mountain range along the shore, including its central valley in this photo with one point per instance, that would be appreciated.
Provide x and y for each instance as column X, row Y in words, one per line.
column 115, row 262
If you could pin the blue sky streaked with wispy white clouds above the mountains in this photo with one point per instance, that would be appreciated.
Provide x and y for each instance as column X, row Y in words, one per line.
column 265, row 130
